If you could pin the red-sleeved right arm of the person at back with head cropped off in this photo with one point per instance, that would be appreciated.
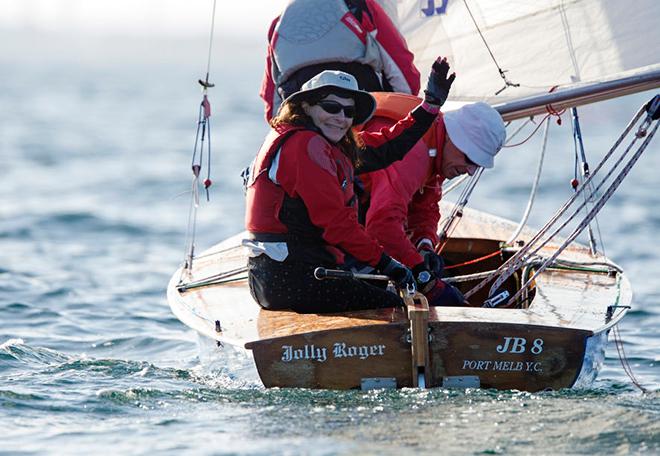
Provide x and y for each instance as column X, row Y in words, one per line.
column 399, row 69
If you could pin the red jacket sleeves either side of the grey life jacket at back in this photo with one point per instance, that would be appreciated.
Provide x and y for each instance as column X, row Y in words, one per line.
column 398, row 68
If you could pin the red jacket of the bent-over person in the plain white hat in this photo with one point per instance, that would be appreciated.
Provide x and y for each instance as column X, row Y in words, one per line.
column 404, row 197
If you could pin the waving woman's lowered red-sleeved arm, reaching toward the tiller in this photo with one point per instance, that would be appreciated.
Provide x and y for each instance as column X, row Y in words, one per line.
column 308, row 171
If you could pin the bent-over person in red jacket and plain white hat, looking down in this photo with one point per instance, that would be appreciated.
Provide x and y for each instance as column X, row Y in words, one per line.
column 400, row 204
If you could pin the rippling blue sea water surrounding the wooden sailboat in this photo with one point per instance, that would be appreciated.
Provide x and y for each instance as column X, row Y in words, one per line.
column 96, row 140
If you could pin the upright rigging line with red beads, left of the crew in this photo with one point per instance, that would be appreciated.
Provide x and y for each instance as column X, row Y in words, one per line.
column 202, row 137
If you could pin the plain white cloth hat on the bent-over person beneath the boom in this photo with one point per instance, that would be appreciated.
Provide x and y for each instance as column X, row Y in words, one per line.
column 478, row 131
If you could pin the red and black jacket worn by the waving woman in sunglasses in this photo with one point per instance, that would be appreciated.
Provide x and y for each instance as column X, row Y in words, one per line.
column 312, row 202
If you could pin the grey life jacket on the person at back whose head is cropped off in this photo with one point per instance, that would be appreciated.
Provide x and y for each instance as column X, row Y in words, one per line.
column 302, row 39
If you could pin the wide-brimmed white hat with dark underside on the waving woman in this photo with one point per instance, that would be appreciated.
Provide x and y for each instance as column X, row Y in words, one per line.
column 365, row 103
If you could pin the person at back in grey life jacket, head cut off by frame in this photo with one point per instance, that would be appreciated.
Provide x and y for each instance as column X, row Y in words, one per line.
column 353, row 36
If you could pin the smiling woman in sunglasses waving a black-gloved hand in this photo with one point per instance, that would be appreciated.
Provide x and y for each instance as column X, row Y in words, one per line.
column 301, row 206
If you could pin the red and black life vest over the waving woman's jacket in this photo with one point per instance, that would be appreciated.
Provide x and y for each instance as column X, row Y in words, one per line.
column 274, row 216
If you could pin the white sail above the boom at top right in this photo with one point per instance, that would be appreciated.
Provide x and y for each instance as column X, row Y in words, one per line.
column 540, row 44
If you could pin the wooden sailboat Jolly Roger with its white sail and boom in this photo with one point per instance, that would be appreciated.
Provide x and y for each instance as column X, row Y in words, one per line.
column 542, row 304
